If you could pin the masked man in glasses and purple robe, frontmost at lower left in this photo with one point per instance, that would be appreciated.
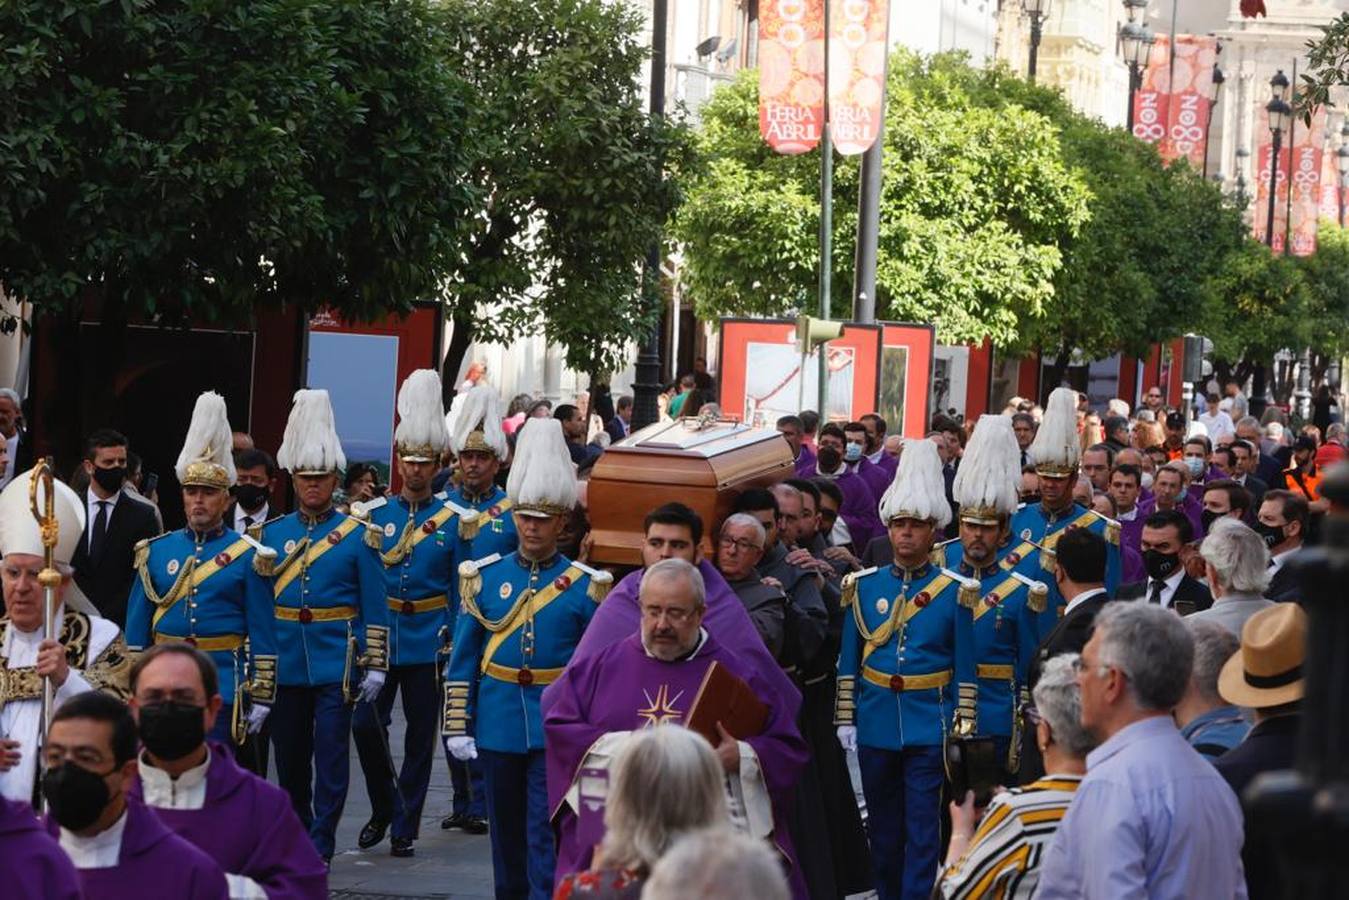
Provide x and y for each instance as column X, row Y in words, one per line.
column 119, row 847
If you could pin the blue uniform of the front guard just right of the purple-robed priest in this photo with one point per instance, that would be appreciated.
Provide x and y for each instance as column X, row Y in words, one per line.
column 907, row 677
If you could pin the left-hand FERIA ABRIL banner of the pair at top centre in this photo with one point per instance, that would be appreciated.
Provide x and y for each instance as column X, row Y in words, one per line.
column 791, row 57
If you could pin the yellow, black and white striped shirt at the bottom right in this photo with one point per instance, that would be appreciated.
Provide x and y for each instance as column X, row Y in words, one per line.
column 1004, row 855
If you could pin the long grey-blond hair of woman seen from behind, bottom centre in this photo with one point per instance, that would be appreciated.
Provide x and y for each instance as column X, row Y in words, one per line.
column 667, row 782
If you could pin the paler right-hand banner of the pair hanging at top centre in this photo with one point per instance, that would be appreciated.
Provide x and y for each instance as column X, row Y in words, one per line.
column 857, row 72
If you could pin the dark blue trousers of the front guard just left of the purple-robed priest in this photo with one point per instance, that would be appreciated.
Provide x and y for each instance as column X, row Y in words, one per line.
column 517, row 812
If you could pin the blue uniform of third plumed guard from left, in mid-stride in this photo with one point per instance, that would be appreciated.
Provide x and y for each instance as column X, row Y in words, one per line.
column 418, row 544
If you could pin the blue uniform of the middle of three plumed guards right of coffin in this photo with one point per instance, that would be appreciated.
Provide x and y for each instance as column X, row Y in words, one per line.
column 1006, row 638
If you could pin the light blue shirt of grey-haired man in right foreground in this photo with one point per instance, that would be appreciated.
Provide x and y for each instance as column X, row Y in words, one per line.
column 1153, row 820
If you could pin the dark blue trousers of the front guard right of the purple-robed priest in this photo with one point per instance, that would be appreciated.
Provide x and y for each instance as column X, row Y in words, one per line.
column 905, row 818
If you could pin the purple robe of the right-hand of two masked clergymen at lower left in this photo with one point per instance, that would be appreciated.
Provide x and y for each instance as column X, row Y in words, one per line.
column 249, row 828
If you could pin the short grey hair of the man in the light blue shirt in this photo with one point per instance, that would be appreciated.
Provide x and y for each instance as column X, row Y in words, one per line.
column 1154, row 650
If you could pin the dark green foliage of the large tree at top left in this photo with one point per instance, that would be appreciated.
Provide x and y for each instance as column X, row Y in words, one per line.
column 190, row 160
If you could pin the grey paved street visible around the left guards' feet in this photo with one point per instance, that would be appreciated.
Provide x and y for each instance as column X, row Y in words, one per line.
column 449, row 864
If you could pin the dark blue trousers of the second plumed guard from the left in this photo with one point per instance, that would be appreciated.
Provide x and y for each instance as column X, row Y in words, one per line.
column 314, row 760
